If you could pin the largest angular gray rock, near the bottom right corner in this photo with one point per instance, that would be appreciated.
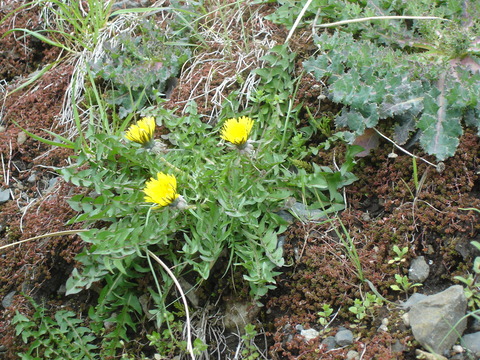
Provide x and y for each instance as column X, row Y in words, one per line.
column 433, row 319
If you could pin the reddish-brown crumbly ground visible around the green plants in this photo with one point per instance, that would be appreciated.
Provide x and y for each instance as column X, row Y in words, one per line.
column 385, row 208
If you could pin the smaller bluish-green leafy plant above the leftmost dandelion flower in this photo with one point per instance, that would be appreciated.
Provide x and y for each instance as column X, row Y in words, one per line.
column 137, row 67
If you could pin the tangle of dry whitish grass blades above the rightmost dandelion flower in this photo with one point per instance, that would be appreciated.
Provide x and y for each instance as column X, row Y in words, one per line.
column 235, row 47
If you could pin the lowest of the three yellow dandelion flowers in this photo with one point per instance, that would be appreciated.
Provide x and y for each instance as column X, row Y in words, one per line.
column 162, row 190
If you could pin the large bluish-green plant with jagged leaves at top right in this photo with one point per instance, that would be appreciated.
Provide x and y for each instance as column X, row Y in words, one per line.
column 422, row 73
